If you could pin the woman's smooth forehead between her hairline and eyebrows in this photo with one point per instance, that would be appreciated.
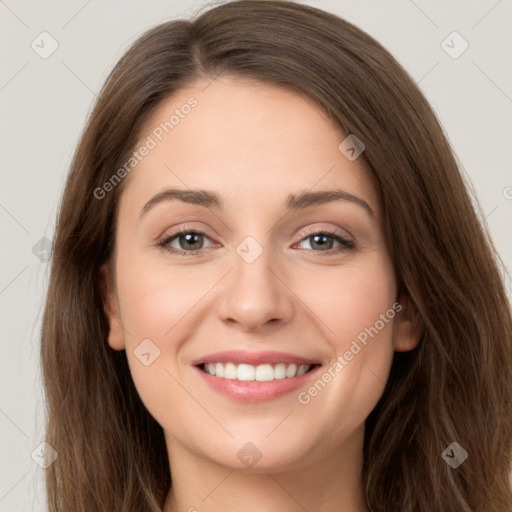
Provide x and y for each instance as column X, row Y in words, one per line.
column 247, row 140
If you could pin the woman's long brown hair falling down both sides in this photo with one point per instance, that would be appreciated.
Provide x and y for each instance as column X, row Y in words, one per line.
column 456, row 386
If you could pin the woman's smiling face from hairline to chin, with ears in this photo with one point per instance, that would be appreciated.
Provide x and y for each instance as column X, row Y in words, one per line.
column 256, row 282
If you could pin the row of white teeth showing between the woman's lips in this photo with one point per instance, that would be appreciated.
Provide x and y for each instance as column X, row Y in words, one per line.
column 261, row 373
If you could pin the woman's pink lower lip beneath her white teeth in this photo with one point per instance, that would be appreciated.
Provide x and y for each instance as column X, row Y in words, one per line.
column 256, row 391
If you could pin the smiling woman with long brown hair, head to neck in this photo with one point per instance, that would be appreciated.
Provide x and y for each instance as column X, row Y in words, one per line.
column 258, row 369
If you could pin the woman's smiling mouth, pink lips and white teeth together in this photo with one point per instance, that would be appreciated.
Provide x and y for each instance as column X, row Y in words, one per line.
column 255, row 377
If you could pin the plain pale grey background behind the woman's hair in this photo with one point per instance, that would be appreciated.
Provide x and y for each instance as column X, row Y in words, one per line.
column 44, row 103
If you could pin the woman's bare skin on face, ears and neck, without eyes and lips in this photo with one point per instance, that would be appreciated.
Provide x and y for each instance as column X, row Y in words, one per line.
column 253, row 144
